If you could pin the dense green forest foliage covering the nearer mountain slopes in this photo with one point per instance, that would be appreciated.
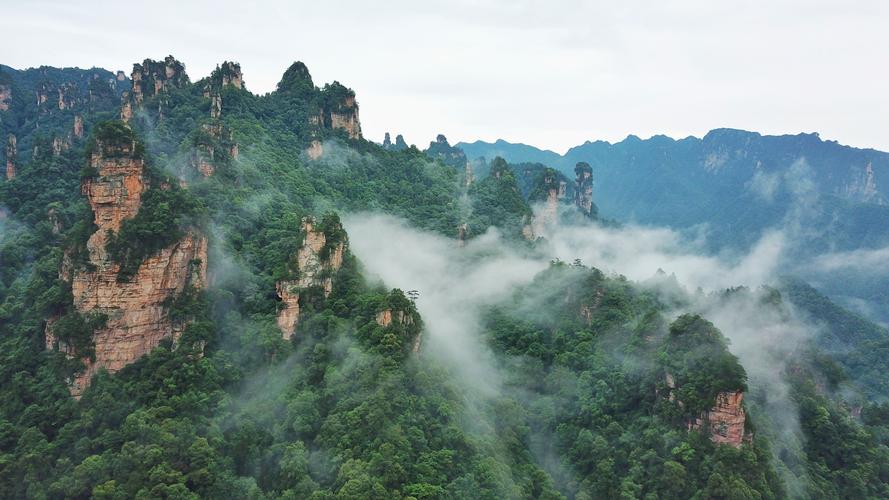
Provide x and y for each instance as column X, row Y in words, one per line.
column 346, row 409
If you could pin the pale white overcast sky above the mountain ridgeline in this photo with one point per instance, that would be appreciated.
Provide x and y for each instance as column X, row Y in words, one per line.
column 552, row 74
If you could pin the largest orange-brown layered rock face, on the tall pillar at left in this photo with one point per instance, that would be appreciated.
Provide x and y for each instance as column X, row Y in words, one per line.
column 137, row 316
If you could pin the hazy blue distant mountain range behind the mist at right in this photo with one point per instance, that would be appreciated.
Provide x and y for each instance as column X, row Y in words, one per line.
column 734, row 185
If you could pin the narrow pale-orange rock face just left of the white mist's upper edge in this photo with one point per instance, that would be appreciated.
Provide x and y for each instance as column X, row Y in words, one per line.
column 316, row 262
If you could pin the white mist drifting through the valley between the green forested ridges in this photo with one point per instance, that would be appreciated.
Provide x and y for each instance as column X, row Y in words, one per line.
column 456, row 283
